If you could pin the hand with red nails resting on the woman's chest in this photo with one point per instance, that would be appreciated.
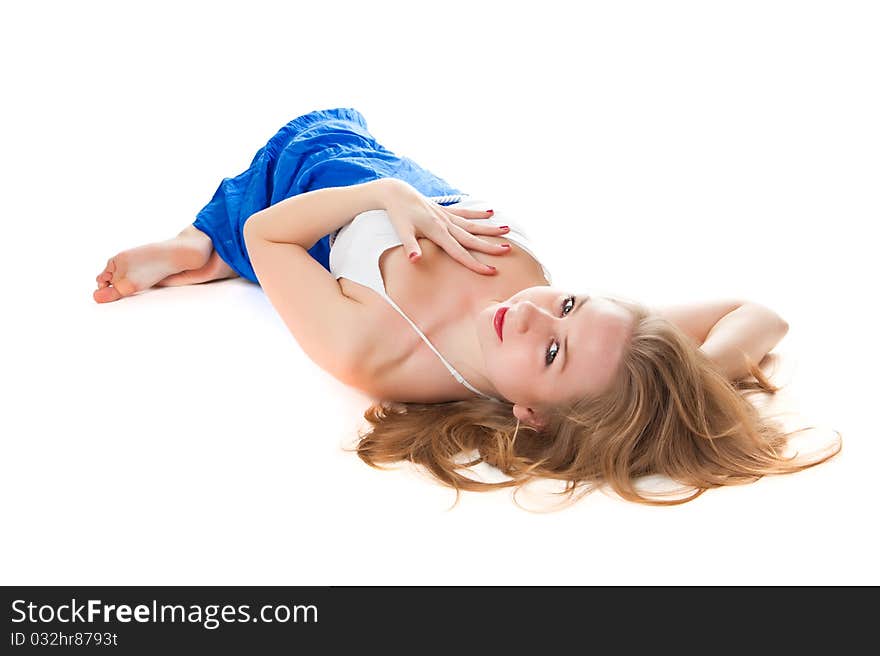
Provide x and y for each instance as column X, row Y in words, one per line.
column 414, row 215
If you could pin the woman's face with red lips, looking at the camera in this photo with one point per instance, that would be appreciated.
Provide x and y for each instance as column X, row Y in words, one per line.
column 554, row 346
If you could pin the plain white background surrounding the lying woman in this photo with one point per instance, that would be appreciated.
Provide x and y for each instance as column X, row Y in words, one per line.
column 668, row 152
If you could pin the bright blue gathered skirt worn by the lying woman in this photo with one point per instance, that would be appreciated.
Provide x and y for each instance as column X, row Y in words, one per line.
column 324, row 148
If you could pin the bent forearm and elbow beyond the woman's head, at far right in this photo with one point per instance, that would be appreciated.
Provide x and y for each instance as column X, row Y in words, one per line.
column 746, row 334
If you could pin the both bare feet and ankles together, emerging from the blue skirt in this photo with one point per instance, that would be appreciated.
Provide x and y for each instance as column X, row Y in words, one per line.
column 185, row 259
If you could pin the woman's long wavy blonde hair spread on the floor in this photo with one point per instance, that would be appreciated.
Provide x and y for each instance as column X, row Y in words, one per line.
column 669, row 412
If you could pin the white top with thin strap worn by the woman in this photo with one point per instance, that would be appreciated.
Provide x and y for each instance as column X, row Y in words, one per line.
column 356, row 247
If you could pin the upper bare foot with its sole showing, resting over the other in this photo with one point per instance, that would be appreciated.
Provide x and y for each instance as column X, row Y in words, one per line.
column 140, row 268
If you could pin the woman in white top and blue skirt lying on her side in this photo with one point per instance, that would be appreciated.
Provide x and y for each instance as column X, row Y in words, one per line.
column 427, row 300
